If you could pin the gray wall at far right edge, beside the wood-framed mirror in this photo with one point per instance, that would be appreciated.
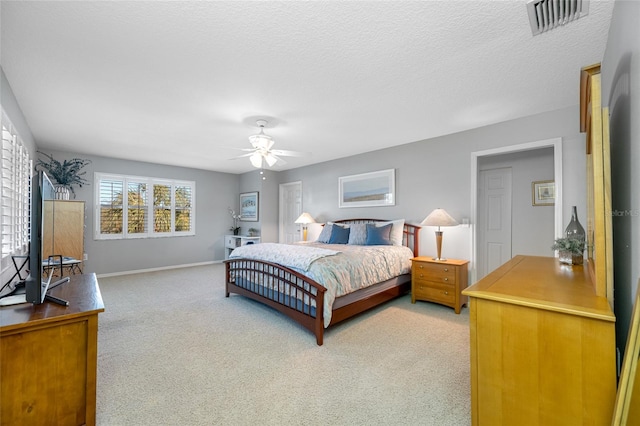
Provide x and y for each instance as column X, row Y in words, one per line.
column 621, row 92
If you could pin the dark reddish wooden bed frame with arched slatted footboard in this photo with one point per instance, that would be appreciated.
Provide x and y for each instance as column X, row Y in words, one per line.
column 299, row 297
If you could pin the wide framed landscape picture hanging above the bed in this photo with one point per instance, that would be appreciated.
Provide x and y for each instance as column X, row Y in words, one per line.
column 368, row 189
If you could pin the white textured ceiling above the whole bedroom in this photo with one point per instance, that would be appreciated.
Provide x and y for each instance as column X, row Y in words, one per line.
column 183, row 82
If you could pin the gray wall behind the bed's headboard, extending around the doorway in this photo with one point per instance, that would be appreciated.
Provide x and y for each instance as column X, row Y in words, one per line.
column 436, row 173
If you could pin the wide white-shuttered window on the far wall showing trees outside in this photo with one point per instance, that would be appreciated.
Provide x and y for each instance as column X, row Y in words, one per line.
column 154, row 207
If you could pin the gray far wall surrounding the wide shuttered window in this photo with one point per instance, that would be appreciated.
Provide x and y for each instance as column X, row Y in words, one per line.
column 215, row 192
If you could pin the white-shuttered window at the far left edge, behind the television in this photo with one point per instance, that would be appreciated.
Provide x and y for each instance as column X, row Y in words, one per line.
column 15, row 171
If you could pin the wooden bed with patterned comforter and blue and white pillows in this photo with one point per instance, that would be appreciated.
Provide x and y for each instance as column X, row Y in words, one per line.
column 298, row 287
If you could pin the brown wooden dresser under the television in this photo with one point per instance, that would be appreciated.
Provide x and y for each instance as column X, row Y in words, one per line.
column 49, row 357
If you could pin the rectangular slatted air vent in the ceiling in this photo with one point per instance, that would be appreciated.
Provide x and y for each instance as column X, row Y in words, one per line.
column 545, row 15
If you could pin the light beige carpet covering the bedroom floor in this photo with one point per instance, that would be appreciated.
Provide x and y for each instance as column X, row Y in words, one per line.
column 172, row 350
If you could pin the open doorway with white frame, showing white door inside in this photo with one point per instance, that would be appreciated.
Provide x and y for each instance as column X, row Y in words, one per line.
column 508, row 204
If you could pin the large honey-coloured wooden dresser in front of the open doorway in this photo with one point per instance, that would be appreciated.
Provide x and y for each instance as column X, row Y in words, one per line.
column 542, row 346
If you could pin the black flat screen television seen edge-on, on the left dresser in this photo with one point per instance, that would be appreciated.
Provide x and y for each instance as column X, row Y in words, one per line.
column 42, row 224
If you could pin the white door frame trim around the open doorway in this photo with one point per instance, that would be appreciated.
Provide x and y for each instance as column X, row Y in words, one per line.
column 556, row 144
